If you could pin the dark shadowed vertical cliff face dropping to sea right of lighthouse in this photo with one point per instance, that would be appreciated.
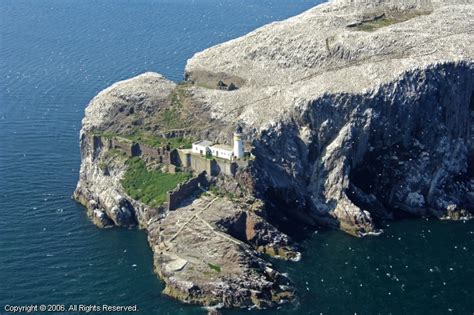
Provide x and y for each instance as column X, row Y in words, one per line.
column 402, row 147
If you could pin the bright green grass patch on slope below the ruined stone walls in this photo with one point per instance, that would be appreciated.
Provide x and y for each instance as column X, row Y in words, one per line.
column 149, row 186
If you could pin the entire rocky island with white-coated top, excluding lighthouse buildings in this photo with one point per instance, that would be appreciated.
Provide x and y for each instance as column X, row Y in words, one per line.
column 354, row 112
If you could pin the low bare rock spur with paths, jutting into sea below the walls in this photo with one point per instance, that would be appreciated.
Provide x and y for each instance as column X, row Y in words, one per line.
column 203, row 262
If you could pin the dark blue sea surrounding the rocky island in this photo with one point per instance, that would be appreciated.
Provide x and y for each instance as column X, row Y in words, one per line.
column 55, row 55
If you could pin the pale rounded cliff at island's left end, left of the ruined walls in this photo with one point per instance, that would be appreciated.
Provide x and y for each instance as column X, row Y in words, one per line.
column 120, row 108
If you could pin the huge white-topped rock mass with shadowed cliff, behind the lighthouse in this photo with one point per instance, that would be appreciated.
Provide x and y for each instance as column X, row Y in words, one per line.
column 355, row 109
